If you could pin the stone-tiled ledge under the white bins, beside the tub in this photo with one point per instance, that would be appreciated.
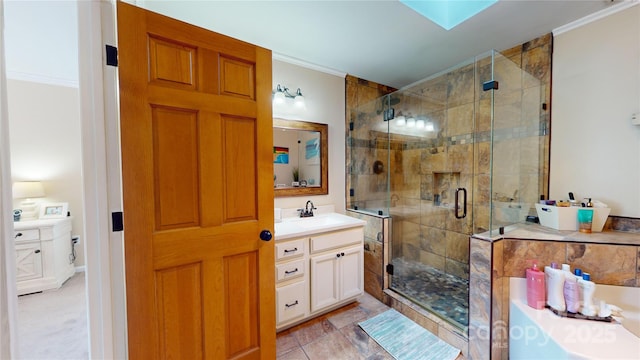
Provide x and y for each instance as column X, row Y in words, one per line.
column 528, row 231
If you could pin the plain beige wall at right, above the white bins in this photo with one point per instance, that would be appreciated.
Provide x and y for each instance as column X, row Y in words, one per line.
column 595, row 150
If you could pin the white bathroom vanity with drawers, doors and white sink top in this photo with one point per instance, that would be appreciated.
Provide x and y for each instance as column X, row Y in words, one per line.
column 319, row 266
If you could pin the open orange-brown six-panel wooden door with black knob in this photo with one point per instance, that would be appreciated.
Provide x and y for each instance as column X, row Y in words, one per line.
column 196, row 138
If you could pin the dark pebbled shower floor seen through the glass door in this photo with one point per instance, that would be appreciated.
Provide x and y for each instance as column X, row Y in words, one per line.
column 444, row 294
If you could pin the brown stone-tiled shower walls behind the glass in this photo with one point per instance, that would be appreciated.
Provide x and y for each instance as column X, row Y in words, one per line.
column 437, row 164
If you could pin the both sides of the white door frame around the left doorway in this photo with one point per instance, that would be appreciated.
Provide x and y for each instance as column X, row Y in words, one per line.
column 101, row 189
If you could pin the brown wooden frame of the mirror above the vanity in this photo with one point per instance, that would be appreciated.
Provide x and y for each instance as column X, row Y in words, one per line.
column 323, row 129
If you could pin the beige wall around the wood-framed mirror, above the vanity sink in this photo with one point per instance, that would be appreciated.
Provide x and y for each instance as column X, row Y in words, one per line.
column 324, row 97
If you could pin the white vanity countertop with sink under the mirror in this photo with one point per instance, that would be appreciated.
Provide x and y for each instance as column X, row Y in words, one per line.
column 293, row 227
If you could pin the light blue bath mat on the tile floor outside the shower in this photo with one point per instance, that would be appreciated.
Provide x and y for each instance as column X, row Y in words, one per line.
column 406, row 340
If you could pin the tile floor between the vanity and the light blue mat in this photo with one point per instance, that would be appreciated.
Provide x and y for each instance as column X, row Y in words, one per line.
column 334, row 336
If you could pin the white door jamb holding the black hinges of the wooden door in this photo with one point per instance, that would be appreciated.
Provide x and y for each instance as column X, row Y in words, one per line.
column 104, row 253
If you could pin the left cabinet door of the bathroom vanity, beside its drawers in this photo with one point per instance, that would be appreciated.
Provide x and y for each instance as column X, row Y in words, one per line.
column 324, row 281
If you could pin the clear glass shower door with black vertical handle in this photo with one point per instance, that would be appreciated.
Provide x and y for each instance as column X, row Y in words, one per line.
column 432, row 176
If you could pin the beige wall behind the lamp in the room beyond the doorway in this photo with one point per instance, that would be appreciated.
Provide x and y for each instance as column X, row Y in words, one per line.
column 44, row 125
